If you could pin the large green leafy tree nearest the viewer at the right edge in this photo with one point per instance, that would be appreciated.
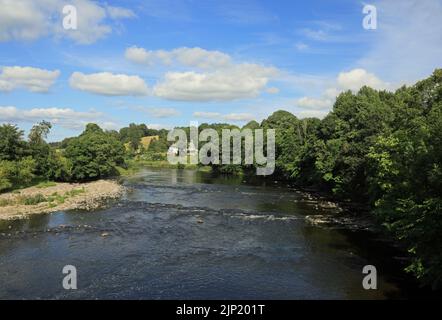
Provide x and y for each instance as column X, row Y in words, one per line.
column 406, row 177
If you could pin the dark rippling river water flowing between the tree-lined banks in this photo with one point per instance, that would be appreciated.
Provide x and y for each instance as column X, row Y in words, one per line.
column 181, row 234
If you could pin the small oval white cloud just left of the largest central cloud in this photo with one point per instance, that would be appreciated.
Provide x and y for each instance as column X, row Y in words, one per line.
column 109, row 84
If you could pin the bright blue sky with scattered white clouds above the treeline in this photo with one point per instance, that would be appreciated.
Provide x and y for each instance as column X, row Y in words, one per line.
column 168, row 62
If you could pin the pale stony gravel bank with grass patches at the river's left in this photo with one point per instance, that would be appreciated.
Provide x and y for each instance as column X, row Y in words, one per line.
column 22, row 203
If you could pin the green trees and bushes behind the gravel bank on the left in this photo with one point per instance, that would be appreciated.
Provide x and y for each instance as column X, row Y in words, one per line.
column 94, row 154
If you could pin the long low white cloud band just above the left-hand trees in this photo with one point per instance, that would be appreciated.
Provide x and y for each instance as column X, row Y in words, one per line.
column 64, row 117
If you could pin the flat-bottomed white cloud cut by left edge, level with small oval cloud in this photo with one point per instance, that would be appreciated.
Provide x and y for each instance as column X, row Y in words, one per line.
column 32, row 79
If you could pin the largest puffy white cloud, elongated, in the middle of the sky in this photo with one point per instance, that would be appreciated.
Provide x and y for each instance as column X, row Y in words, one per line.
column 238, row 82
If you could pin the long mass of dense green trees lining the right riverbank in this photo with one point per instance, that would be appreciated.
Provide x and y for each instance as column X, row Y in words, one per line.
column 382, row 149
